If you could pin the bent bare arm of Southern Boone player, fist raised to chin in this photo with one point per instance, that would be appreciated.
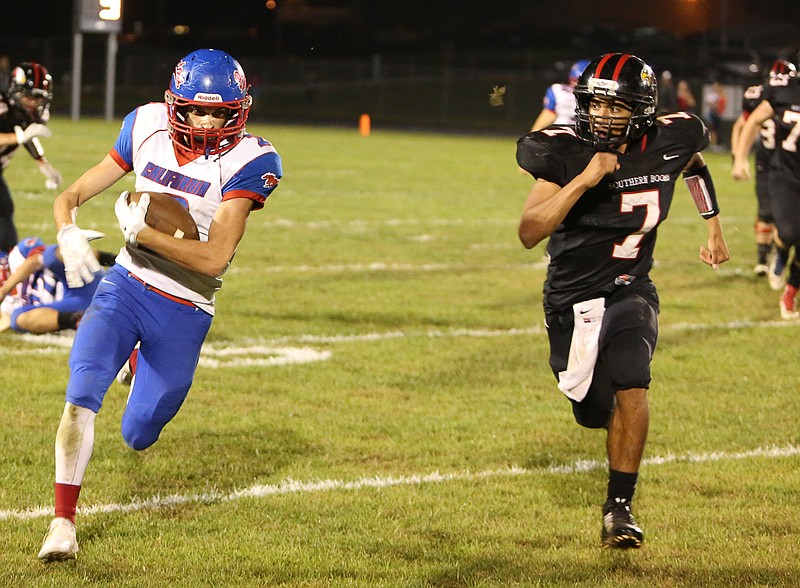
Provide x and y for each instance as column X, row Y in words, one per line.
column 548, row 203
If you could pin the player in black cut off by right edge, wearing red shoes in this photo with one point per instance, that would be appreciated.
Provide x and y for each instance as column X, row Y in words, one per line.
column 781, row 103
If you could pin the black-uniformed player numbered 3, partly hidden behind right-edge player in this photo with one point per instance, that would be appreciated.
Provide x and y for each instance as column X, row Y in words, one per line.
column 764, row 149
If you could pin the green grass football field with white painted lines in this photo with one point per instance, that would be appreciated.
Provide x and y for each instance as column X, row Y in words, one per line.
column 374, row 406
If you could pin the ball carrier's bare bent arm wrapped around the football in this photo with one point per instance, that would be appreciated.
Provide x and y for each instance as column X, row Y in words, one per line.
column 209, row 258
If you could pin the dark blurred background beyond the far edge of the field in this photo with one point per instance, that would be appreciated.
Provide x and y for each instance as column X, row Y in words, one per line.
column 410, row 64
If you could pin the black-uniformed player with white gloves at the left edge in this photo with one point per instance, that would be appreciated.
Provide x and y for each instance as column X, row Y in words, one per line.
column 24, row 112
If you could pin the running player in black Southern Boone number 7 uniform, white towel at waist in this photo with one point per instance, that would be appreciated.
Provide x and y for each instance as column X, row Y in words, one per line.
column 602, row 188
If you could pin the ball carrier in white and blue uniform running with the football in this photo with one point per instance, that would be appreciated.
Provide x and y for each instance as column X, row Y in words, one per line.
column 160, row 293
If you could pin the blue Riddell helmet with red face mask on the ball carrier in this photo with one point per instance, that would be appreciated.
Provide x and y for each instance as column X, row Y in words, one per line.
column 207, row 77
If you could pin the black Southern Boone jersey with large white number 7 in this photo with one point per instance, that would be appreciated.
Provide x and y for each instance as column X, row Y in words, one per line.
column 608, row 237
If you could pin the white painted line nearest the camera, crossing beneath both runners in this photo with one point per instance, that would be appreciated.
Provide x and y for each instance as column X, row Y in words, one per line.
column 291, row 486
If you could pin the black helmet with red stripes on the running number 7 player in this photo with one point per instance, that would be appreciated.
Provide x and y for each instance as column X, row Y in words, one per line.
column 618, row 77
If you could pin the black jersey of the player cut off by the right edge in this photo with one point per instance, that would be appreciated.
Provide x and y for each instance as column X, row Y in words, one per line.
column 785, row 101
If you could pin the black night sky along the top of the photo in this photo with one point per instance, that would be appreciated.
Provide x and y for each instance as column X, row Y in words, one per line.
column 353, row 27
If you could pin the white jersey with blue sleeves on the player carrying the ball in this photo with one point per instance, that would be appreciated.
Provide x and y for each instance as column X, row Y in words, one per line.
column 251, row 169
